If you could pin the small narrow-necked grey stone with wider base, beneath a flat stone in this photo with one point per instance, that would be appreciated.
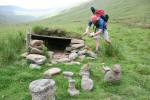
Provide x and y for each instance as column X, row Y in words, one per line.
column 72, row 90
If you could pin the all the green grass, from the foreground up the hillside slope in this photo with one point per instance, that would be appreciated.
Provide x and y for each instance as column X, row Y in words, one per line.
column 130, row 48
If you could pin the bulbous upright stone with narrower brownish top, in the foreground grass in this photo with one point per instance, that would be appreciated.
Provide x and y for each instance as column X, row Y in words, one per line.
column 87, row 83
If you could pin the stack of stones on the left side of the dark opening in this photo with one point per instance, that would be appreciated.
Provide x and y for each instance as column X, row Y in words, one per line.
column 35, row 54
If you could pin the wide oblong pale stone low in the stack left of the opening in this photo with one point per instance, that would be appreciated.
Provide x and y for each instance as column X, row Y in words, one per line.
column 36, row 58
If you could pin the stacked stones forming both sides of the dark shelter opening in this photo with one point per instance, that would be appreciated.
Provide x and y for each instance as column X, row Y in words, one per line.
column 36, row 55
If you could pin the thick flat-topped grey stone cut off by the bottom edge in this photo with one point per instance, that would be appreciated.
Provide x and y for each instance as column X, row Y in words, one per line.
column 43, row 89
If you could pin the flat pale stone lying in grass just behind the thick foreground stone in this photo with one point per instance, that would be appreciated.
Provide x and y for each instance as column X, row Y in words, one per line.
column 52, row 71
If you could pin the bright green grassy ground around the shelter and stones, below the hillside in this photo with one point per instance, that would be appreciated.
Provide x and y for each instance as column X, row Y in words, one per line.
column 131, row 50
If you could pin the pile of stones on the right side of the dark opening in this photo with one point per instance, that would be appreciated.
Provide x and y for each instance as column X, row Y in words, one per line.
column 77, row 49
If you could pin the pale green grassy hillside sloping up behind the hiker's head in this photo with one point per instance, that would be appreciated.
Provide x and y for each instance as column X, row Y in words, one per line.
column 126, row 11
